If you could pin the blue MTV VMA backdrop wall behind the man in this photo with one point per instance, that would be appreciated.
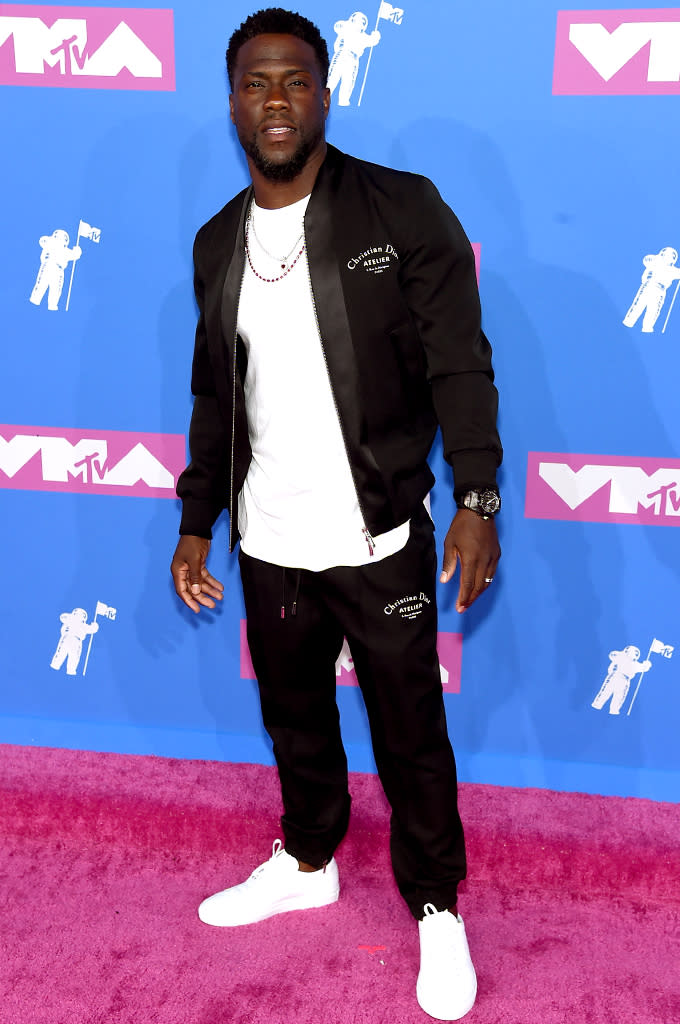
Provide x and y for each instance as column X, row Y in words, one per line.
column 566, row 192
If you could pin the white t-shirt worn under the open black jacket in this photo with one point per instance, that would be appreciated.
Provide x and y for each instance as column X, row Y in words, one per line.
column 299, row 506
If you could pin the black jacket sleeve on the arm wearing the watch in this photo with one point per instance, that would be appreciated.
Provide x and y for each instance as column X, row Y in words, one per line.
column 438, row 275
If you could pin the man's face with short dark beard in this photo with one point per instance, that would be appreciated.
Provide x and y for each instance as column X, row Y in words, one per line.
column 279, row 105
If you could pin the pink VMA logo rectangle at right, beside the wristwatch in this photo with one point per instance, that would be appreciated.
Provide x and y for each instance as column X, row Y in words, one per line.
column 604, row 489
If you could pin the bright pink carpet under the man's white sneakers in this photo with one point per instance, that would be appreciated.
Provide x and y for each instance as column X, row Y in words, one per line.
column 573, row 908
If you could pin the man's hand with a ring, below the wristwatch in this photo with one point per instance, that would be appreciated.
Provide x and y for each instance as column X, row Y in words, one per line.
column 473, row 541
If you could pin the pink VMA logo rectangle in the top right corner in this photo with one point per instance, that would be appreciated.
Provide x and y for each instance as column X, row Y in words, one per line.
column 618, row 53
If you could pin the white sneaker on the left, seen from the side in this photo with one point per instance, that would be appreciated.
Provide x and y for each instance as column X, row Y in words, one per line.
column 275, row 887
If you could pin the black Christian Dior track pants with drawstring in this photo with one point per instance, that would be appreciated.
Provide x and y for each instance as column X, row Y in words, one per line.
column 393, row 644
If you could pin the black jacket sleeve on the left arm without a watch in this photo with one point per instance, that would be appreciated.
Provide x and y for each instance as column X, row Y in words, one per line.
column 203, row 487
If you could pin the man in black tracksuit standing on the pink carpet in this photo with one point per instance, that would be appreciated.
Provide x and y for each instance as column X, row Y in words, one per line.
column 339, row 324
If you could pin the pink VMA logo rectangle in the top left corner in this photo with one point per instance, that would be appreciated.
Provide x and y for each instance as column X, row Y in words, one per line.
column 87, row 48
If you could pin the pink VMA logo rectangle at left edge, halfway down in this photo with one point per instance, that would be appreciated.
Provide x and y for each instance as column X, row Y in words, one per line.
column 109, row 462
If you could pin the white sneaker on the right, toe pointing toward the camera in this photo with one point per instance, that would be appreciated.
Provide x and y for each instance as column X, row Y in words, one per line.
column 447, row 984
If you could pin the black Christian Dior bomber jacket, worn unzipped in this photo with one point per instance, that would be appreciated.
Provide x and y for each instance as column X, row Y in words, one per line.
column 395, row 289
